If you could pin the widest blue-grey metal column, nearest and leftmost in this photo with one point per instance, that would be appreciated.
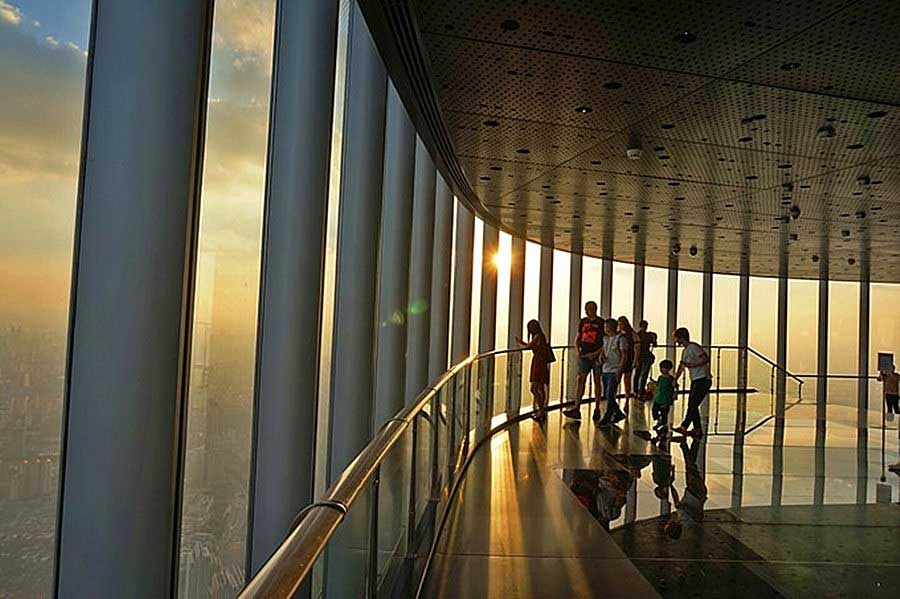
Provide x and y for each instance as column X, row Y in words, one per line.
column 131, row 299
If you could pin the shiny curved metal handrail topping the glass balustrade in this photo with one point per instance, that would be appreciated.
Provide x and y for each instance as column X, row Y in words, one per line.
column 291, row 563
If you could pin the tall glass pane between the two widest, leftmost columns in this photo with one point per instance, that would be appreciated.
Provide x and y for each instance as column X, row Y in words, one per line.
column 217, row 463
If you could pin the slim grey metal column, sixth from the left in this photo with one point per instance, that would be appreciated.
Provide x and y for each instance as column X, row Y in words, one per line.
column 439, row 337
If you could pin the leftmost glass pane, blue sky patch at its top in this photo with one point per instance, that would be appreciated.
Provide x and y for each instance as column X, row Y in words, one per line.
column 42, row 70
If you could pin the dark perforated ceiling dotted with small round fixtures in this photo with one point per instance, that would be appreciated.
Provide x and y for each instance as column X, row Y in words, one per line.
column 726, row 99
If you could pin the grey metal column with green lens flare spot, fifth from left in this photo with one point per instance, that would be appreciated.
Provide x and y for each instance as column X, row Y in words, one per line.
column 420, row 275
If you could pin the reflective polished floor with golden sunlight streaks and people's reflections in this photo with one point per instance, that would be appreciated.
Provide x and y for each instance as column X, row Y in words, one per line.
column 570, row 510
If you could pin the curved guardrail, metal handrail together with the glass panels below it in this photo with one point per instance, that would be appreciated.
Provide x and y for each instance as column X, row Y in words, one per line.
column 387, row 511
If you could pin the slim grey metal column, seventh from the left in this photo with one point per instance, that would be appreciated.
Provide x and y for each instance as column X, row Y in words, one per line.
column 462, row 284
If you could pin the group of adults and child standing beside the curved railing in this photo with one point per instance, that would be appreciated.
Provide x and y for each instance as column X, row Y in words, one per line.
column 618, row 355
